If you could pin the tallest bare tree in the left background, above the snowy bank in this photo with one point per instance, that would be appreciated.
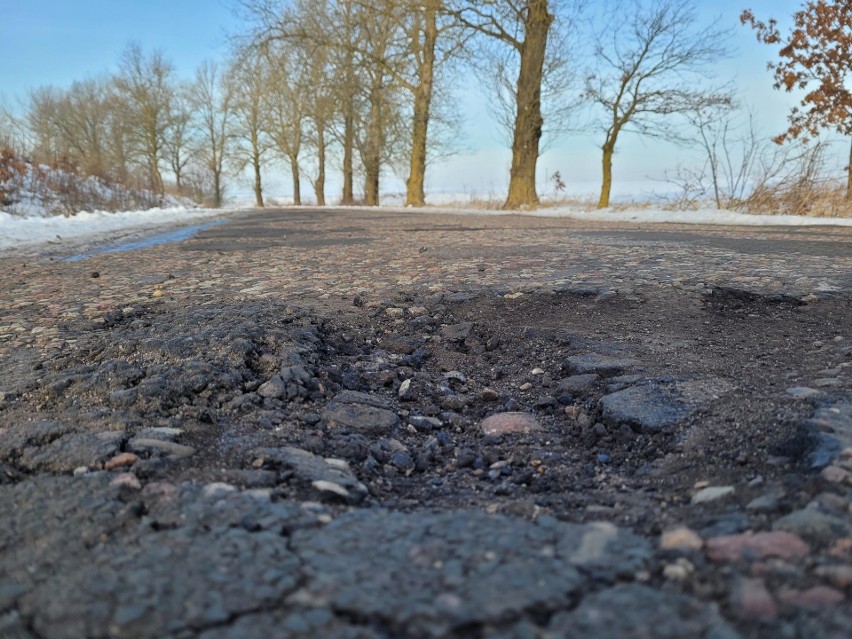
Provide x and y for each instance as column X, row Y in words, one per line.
column 146, row 83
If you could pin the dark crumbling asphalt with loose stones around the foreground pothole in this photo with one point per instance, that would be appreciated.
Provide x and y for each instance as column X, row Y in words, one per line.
column 459, row 447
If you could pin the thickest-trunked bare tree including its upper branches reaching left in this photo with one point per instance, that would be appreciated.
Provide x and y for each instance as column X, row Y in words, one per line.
column 524, row 26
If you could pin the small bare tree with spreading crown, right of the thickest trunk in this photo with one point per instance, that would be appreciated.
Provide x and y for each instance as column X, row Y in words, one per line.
column 652, row 58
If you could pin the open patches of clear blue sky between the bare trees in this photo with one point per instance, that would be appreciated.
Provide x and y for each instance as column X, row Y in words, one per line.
column 58, row 41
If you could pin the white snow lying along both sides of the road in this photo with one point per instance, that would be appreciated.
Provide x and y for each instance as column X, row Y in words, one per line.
column 17, row 231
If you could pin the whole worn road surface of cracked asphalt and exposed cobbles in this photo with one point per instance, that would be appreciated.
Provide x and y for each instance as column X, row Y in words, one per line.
column 360, row 423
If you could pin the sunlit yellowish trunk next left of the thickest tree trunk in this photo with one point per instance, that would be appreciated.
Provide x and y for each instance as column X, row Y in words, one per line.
column 416, row 188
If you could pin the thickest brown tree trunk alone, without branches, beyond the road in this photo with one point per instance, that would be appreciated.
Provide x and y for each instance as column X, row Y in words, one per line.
column 529, row 121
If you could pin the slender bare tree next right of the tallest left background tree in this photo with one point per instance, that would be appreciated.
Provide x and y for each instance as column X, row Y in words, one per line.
column 213, row 100
